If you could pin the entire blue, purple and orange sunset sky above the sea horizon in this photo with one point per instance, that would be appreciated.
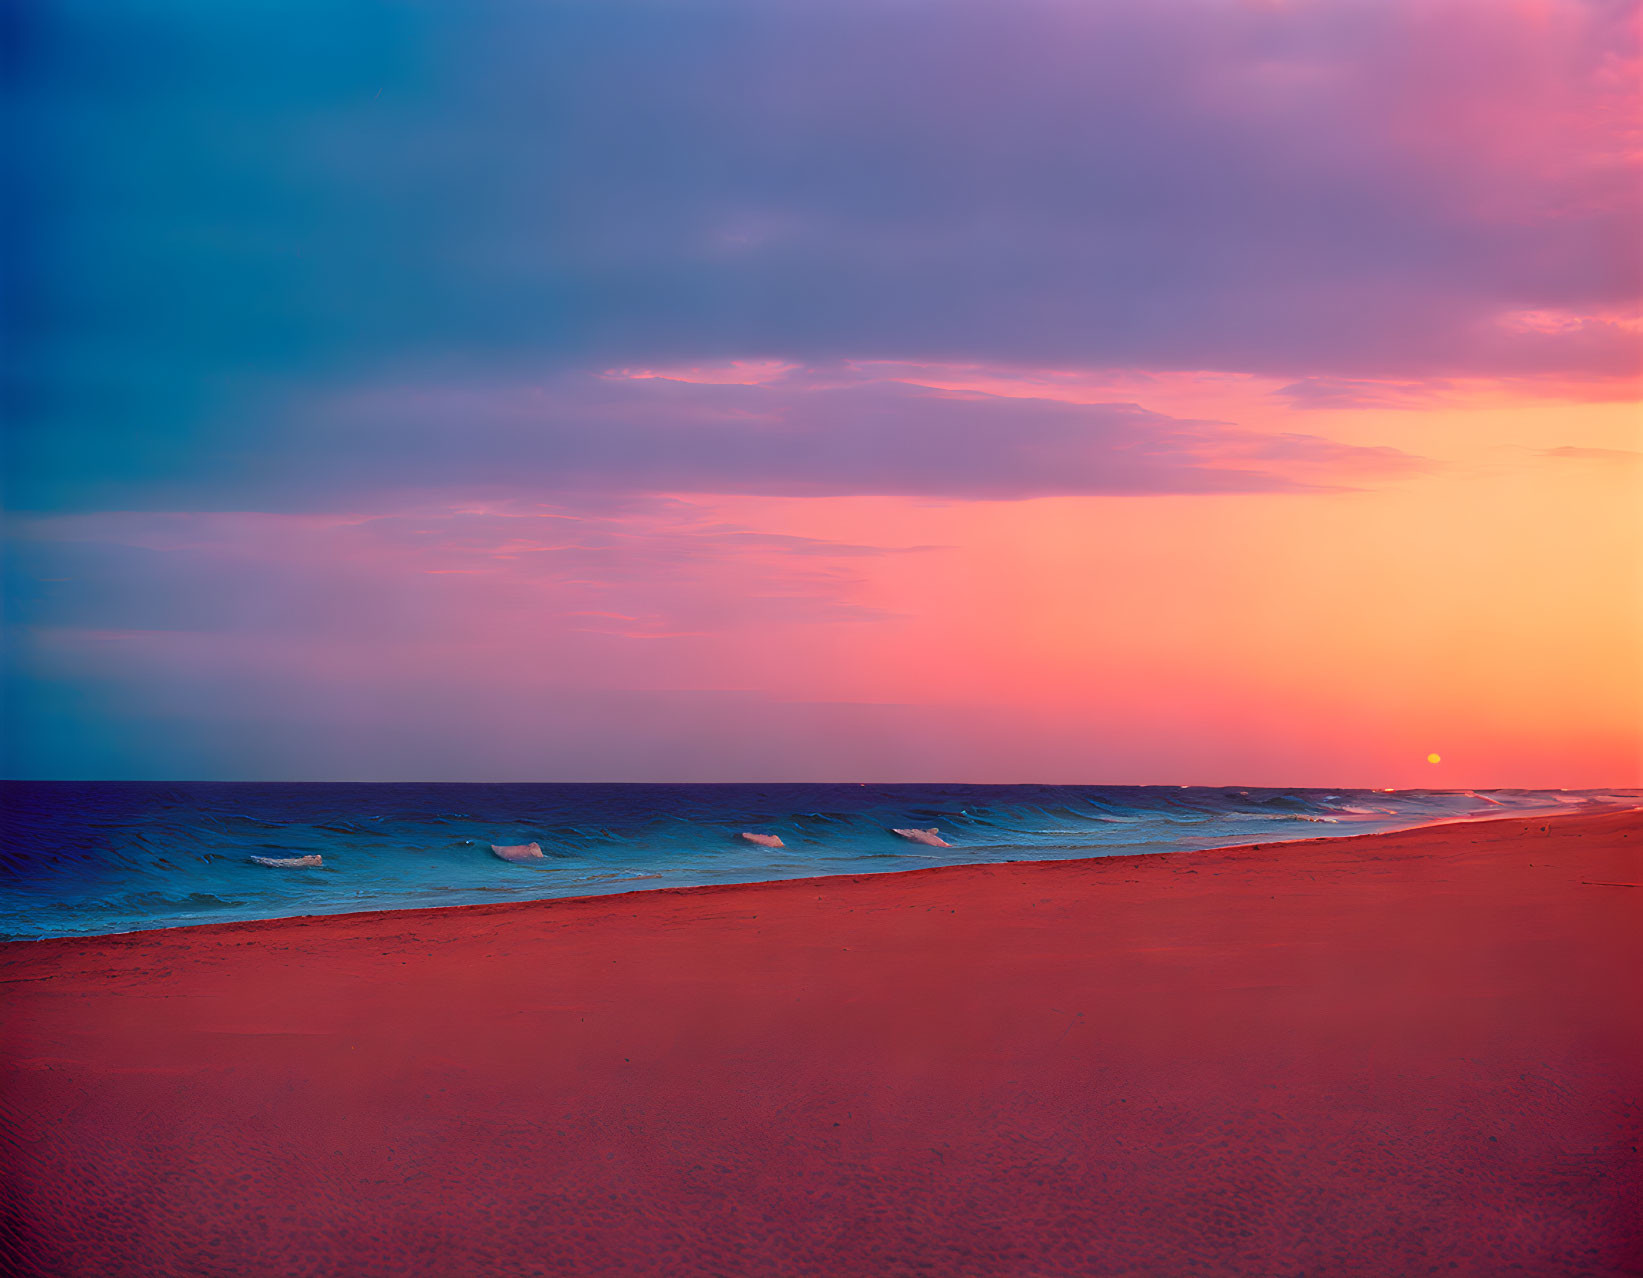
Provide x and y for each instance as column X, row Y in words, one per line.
column 1149, row 392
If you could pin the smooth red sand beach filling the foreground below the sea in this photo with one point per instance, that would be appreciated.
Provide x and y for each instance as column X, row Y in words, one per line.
column 1386, row 1055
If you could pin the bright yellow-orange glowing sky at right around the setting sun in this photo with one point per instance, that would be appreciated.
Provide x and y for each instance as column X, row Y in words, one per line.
column 1496, row 602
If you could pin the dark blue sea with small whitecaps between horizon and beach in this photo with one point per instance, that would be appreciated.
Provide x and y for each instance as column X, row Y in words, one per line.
column 86, row 858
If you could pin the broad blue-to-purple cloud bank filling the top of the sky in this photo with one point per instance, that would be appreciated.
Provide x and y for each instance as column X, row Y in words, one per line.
column 1396, row 191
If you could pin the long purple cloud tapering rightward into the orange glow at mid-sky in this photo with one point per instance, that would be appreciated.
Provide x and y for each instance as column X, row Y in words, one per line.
column 597, row 438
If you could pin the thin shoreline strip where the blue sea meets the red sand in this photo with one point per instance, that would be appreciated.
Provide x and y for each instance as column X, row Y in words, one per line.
column 1483, row 819
